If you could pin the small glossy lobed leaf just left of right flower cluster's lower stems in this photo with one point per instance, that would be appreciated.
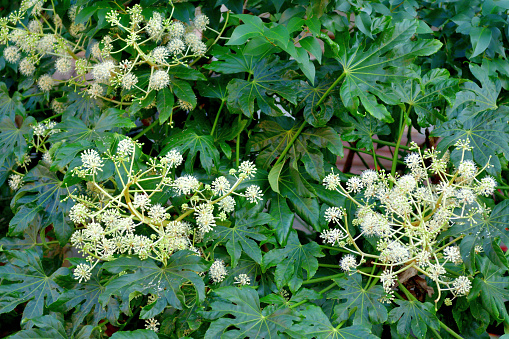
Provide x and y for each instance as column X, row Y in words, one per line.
column 292, row 260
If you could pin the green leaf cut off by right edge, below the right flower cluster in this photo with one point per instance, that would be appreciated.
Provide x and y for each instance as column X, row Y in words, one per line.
column 492, row 288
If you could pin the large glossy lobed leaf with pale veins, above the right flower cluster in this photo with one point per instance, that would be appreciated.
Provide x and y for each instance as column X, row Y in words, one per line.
column 369, row 68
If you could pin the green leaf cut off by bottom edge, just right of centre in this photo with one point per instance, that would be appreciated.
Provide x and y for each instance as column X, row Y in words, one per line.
column 315, row 324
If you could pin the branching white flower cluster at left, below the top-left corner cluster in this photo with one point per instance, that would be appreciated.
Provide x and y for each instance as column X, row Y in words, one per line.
column 111, row 211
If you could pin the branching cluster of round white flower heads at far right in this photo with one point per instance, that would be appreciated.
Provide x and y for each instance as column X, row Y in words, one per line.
column 406, row 214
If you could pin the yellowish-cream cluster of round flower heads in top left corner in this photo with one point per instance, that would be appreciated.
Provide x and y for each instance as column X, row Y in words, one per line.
column 93, row 66
